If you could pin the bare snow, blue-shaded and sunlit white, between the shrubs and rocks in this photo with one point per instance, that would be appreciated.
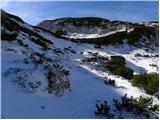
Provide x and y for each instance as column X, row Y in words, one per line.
column 87, row 82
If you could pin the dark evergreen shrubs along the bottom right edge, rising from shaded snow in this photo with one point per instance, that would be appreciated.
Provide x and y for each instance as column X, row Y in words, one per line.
column 142, row 107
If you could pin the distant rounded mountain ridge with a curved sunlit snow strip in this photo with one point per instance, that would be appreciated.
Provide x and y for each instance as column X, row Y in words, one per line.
column 91, row 29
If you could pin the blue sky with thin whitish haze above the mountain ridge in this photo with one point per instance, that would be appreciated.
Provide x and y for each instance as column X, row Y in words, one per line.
column 35, row 12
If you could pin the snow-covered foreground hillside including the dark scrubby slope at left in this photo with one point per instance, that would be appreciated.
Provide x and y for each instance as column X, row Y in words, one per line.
column 45, row 77
